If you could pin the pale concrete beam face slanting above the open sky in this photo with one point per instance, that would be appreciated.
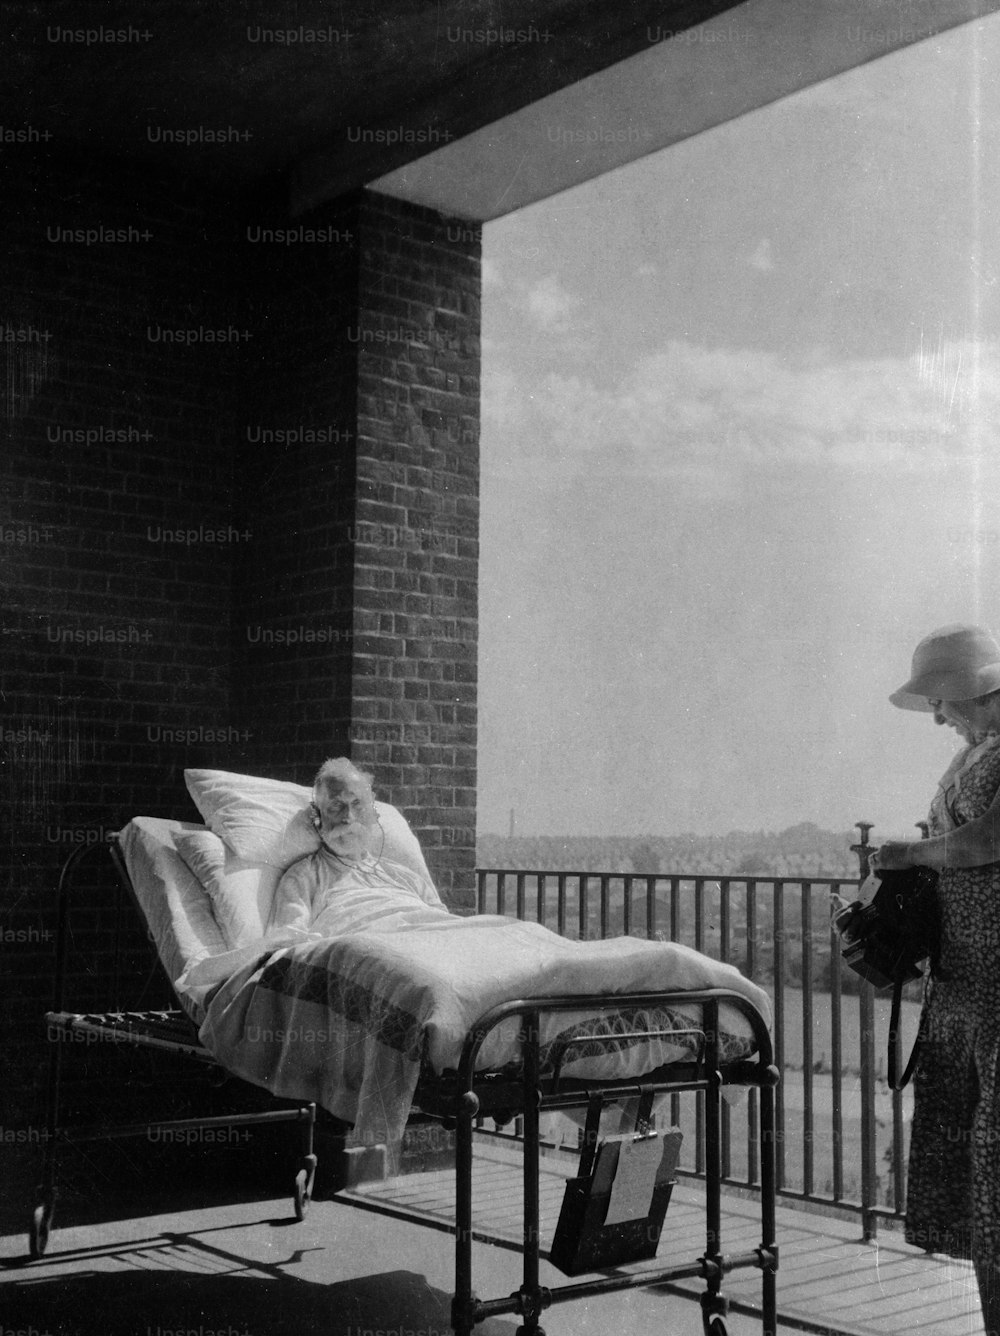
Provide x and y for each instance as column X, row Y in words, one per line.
column 682, row 85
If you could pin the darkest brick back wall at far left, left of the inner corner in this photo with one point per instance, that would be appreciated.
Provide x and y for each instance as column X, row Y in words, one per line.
column 115, row 638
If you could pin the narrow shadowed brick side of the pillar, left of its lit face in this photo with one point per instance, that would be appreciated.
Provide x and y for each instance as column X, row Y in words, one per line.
column 296, row 444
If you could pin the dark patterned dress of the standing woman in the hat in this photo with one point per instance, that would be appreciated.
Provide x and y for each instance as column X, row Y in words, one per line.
column 954, row 1188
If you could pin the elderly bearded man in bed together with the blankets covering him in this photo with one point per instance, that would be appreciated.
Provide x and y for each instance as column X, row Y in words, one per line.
column 365, row 977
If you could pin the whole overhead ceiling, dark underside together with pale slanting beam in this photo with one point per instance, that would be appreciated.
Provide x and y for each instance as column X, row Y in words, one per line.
column 519, row 100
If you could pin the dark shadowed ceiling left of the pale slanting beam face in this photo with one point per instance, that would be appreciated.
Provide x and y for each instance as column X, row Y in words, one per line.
column 262, row 90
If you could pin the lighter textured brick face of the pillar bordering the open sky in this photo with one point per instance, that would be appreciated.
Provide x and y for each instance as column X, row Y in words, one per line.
column 417, row 526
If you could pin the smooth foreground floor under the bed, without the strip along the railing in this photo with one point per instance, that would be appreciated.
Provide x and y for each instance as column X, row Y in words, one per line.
column 250, row 1270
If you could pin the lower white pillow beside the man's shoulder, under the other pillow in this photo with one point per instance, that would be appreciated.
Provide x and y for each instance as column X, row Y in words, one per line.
column 241, row 893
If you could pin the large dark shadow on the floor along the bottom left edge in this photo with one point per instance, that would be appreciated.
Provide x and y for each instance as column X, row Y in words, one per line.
column 161, row 1303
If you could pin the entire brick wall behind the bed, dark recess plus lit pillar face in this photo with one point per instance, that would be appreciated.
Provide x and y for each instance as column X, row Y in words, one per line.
column 158, row 535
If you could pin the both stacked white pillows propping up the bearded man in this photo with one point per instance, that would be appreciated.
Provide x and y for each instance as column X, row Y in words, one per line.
column 257, row 829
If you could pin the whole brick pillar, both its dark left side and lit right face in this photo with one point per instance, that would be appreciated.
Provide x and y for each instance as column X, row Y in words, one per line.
column 366, row 532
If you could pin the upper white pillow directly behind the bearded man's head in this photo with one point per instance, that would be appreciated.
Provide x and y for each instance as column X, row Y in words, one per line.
column 266, row 821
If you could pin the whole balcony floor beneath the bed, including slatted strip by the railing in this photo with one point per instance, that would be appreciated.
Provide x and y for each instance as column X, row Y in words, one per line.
column 361, row 1263
